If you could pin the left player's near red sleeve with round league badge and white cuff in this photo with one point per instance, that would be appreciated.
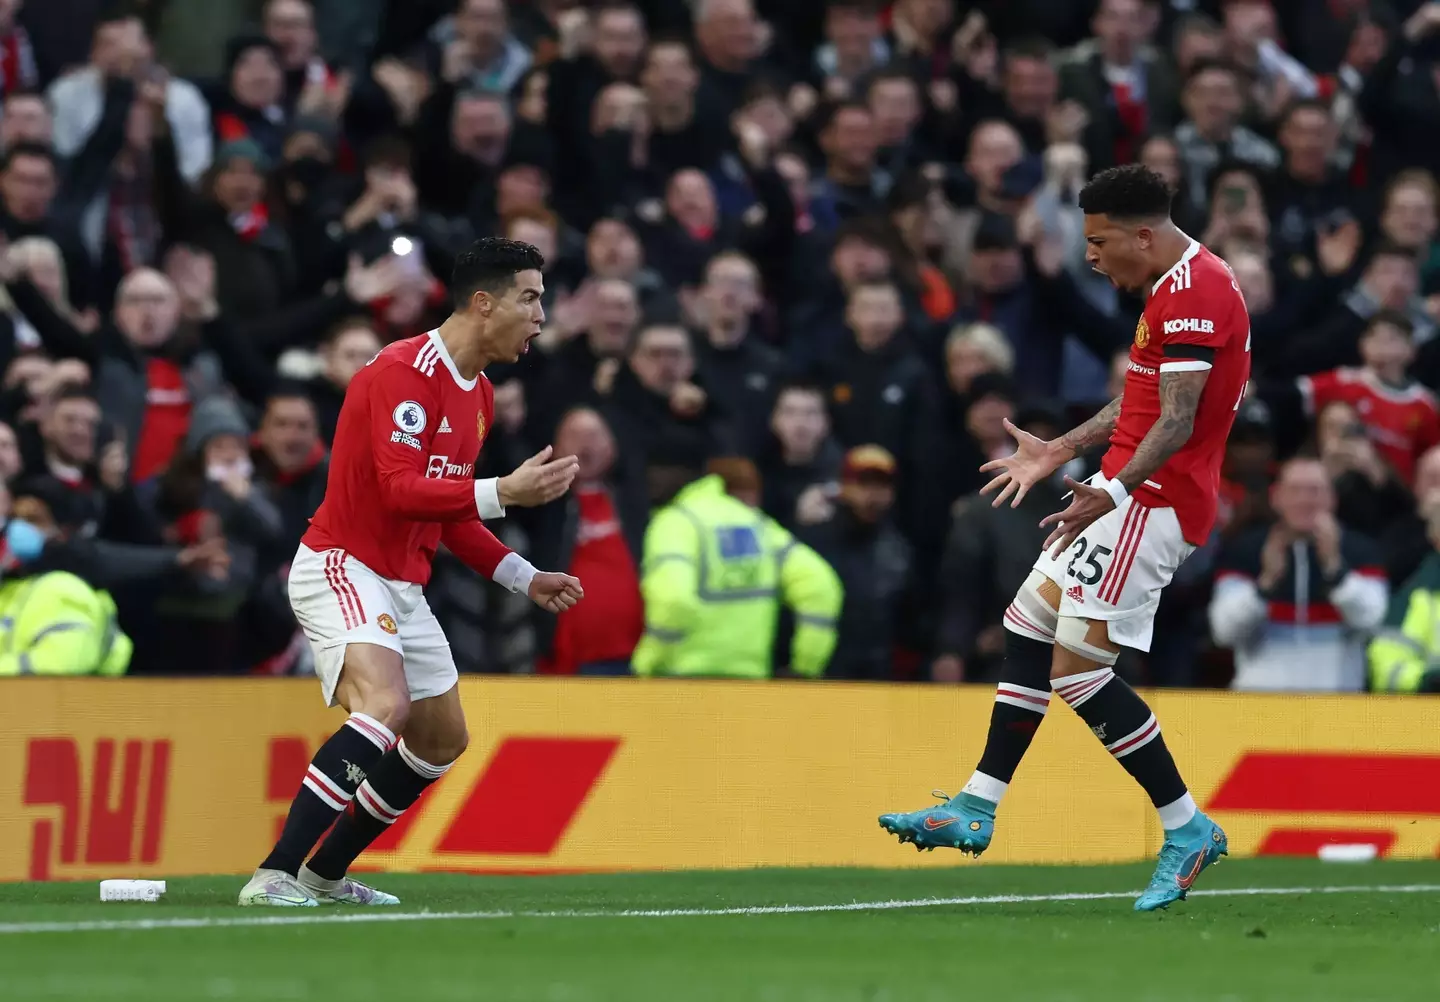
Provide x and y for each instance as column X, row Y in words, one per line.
column 402, row 425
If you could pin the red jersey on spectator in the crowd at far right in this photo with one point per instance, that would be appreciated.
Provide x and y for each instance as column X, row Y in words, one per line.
column 1403, row 424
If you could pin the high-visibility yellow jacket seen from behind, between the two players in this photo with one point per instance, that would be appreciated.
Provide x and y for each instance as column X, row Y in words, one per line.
column 714, row 577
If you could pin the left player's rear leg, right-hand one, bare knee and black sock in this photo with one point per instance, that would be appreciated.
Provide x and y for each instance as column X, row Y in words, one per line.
column 431, row 742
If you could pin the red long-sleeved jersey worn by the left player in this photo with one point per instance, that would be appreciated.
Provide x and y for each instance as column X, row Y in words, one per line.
column 402, row 470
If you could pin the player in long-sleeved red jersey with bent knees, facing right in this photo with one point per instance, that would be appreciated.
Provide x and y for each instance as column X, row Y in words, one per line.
column 402, row 482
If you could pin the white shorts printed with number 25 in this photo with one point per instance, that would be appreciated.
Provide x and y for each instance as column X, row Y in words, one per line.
column 1118, row 568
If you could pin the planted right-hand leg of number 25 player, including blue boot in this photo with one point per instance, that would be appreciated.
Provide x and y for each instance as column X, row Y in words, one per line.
column 1082, row 674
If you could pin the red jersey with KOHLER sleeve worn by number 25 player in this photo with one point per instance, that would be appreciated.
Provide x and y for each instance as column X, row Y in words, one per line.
column 1194, row 319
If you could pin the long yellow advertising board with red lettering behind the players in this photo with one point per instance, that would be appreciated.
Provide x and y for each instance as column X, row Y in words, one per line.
column 153, row 778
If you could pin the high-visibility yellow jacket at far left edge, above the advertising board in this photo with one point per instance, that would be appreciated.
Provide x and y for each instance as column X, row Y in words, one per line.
column 55, row 624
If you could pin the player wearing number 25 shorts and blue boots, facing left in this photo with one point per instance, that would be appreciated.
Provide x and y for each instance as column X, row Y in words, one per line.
column 1117, row 546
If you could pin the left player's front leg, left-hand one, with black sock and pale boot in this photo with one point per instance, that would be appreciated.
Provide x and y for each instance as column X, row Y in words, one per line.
column 372, row 687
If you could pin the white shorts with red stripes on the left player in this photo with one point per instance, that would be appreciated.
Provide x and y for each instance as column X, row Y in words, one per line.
column 339, row 602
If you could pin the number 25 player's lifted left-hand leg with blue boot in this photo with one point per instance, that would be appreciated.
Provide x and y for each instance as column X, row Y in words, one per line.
column 967, row 821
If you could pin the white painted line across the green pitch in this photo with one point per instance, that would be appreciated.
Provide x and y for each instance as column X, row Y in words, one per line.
column 335, row 918
